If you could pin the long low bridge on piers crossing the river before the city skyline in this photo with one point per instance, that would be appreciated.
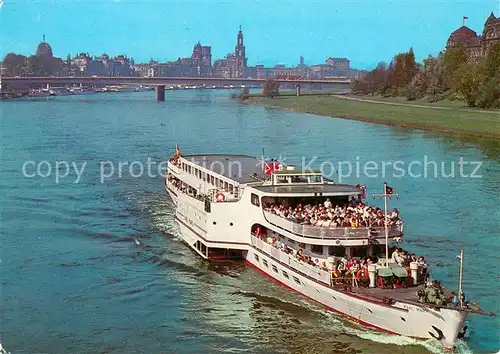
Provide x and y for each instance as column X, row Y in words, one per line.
column 159, row 82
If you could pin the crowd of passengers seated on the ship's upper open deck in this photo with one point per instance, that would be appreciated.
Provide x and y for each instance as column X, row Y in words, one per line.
column 354, row 214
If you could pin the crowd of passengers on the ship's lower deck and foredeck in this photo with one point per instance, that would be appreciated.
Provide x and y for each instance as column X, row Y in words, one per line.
column 346, row 267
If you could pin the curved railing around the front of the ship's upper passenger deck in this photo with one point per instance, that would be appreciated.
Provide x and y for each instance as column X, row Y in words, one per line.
column 331, row 232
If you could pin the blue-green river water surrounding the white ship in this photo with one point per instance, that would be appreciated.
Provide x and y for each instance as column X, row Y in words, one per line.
column 97, row 266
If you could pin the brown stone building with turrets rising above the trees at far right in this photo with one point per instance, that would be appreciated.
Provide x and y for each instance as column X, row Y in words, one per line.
column 477, row 45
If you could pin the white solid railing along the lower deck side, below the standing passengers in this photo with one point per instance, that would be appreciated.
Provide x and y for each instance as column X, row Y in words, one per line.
column 309, row 271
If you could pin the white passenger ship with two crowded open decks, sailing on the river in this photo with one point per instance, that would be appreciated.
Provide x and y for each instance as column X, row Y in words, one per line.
column 220, row 203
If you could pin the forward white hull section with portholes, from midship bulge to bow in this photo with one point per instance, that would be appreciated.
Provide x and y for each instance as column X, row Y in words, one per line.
column 408, row 320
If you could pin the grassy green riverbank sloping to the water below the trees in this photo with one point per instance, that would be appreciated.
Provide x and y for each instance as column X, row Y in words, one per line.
column 447, row 118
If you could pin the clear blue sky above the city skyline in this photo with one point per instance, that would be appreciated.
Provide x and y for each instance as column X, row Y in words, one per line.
column 275, row 31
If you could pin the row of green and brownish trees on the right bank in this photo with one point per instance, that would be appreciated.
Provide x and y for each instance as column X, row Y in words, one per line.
column 450, row 75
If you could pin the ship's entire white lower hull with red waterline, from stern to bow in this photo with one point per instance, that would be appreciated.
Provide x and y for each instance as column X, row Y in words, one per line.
column 412, row 320
